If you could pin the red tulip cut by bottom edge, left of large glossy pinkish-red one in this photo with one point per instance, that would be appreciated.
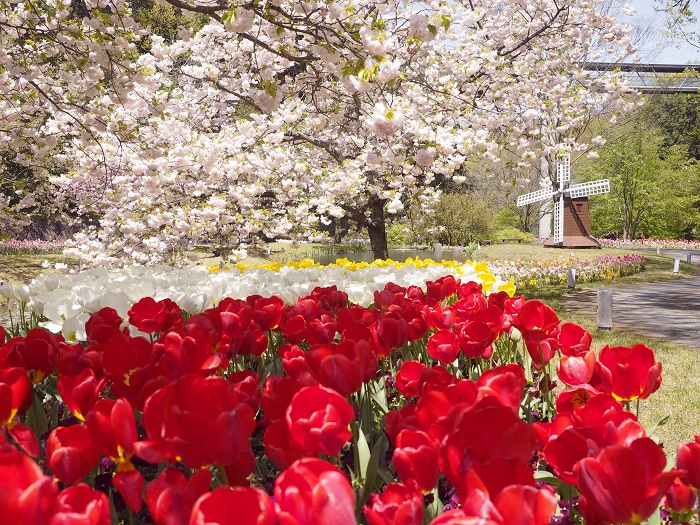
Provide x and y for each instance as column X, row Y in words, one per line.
column 233, row 506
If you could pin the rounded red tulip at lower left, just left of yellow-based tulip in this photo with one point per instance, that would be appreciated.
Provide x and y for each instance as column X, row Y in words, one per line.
column 71, row 453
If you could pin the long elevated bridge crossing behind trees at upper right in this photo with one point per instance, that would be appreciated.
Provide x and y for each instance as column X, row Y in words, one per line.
column 654, row 78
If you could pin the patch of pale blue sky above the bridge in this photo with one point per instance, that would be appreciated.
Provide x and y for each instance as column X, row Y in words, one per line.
column 657, row 49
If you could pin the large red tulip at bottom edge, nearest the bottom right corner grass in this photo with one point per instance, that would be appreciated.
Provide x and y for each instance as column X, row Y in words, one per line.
column 623, row 485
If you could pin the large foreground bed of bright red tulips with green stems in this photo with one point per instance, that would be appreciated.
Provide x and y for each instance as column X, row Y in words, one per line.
column 433, row 404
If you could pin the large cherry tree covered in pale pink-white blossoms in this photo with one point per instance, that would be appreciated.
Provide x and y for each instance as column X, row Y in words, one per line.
column 276, row 118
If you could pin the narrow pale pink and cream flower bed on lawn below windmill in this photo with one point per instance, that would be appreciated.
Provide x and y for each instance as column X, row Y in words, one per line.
column 553, row 271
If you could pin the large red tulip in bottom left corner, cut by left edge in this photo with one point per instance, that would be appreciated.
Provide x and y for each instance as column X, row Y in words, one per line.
column 28, row 497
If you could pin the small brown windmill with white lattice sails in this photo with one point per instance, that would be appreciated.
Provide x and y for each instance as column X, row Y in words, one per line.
column 572, row 225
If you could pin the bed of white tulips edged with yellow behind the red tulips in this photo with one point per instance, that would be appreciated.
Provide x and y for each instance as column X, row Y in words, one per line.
column 65, row 302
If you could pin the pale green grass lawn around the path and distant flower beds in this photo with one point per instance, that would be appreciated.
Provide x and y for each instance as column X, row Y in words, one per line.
column 681, row 367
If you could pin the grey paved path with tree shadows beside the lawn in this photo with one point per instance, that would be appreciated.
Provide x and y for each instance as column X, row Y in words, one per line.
column 668, row 311
